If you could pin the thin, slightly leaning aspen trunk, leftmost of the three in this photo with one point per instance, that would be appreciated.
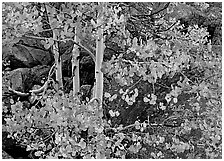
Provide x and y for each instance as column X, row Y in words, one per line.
column 58, row 63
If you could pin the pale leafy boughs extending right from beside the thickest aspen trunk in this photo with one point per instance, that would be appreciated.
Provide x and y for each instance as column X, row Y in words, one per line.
column 156, row 61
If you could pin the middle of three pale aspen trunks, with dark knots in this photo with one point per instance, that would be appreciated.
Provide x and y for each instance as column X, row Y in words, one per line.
column 75, row 65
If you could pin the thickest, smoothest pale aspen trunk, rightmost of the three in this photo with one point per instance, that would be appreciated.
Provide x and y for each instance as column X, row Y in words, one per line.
column 99, row 59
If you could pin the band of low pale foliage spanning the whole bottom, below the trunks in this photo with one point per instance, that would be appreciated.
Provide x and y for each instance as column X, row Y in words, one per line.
column 64, row 128
